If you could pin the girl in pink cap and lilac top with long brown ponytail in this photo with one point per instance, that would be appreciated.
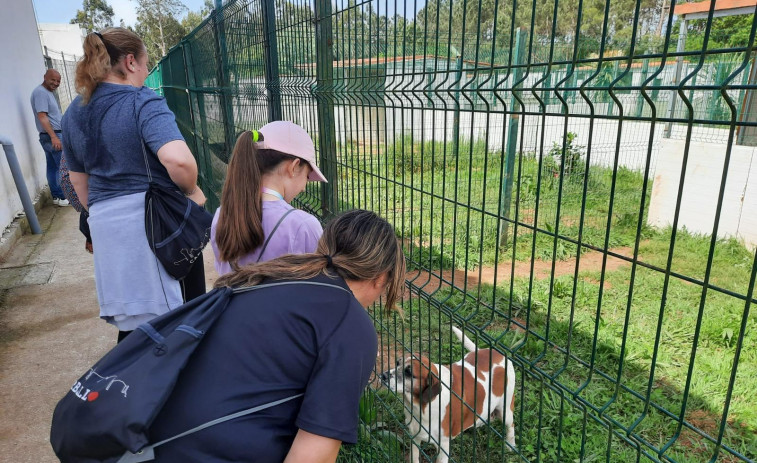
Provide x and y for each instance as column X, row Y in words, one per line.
column 255, row 222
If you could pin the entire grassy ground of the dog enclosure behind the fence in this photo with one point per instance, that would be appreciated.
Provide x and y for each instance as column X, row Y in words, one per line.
column 567, row 404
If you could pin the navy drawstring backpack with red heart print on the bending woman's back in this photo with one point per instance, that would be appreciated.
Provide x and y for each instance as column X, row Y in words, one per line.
column 107, row 414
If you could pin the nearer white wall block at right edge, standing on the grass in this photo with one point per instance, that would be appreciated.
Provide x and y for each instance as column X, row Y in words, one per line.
column 704, row 172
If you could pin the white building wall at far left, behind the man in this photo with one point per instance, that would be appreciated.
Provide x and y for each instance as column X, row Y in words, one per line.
column 22, row 69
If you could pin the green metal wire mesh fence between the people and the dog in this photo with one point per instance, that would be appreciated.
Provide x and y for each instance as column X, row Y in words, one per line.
column 569, row 189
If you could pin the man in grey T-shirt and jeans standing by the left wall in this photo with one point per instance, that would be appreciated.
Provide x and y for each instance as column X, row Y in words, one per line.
column 47, row 116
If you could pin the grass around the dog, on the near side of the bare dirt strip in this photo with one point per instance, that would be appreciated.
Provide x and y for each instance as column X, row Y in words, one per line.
column 547, row 416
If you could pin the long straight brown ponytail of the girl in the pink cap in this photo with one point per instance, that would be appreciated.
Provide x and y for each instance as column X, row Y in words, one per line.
column 240, row 223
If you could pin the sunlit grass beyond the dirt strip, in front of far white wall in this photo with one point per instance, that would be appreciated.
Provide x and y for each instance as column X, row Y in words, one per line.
column 450, row 203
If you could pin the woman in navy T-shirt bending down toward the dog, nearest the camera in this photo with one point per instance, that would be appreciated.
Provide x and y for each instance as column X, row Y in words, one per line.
column 290, row 338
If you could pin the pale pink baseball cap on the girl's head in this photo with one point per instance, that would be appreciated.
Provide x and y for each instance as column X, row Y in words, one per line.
column 289, row 138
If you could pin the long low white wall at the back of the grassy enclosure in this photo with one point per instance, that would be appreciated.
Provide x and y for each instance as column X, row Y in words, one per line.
column 370, row 124
